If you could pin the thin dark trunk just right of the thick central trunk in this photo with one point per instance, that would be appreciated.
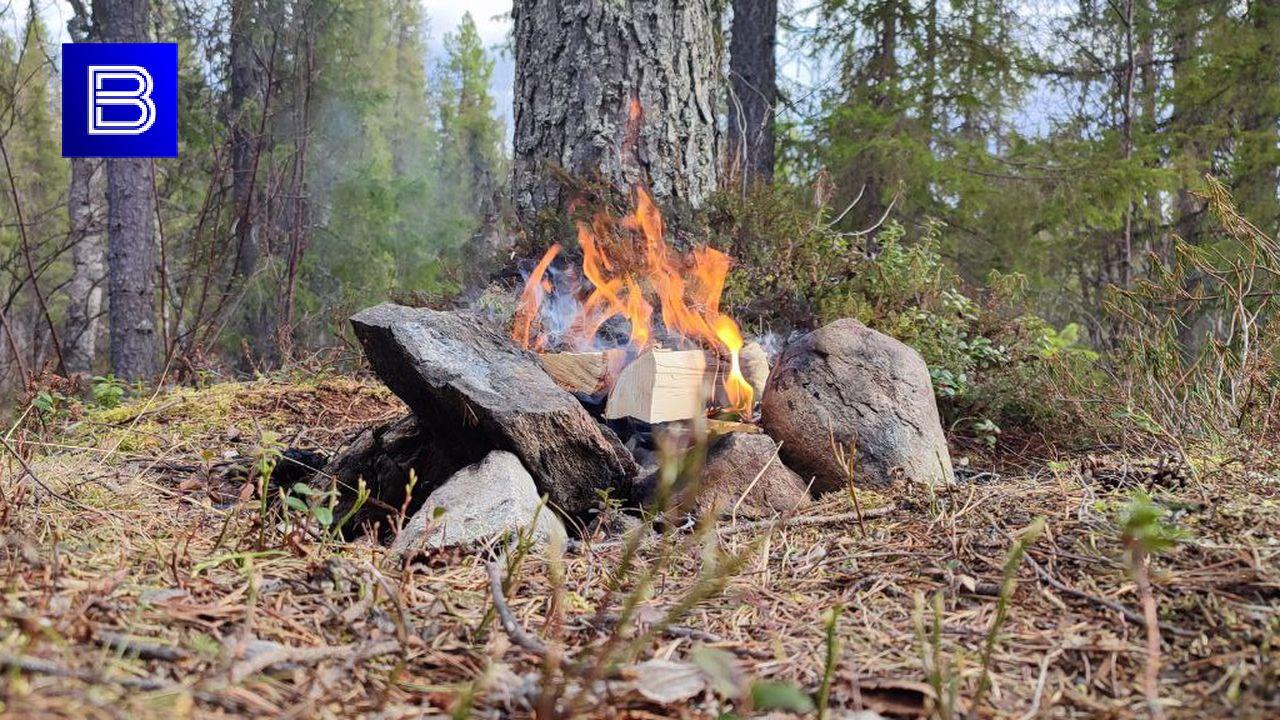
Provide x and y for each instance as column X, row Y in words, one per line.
column 753, row 76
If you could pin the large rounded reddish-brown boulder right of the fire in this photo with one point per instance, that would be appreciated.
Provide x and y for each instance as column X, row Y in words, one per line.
column 845, row 384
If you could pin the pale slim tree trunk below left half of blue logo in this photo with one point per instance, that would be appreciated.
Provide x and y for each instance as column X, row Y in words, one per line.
column 89, row 259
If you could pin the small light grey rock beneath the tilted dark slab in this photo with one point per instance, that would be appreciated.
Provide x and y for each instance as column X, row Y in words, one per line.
column 478, row 504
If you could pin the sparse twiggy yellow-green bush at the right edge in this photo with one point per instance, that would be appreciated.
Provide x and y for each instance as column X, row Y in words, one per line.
column 1201, row 349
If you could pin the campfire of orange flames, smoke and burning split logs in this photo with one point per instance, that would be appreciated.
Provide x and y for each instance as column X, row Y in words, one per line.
column 639, row 325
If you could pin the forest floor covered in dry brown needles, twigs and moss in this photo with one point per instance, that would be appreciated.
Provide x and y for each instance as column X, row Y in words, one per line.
column 144, row 589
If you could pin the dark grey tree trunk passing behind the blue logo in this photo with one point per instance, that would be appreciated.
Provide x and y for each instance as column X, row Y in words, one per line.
column 130, row 224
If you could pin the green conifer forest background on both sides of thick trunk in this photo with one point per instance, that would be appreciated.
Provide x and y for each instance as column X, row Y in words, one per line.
column 1060, row 204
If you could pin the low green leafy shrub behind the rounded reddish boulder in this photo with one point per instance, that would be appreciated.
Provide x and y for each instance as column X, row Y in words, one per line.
column 994, row 364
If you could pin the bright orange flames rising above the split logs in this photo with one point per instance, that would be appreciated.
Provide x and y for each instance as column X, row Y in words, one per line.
column 628, row 262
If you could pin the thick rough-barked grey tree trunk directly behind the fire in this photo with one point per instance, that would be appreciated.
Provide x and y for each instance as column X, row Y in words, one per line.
column 616, row 93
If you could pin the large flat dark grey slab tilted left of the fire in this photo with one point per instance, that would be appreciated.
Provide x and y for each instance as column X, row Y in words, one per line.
column 476, row 393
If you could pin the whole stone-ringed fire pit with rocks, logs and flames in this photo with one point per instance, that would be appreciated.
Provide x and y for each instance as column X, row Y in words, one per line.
column 600, row 359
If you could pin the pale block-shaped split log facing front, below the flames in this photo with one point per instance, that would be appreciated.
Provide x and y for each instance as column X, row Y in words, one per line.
column 662, row 386
